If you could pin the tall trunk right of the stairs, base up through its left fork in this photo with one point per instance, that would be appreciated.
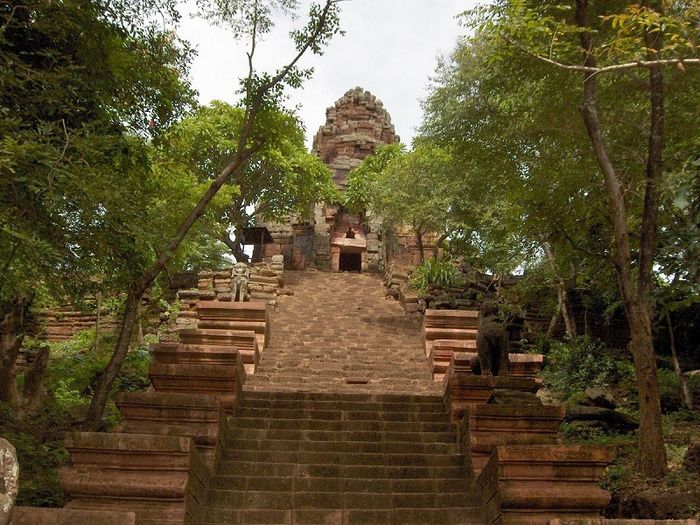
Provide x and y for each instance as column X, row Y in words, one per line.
column 652, row 453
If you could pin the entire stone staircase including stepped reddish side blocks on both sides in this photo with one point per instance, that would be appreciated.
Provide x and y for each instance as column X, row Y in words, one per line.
column 341, row 423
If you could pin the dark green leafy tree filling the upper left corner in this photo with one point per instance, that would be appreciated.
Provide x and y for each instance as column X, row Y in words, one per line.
column 81, row 89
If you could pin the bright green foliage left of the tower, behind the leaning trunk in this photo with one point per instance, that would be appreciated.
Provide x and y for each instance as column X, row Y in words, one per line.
column 280, row 179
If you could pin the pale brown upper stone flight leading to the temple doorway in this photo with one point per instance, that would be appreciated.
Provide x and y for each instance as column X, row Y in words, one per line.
column 337, row 333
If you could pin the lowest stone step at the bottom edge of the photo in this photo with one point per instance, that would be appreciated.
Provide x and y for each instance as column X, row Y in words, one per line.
column 405, row 516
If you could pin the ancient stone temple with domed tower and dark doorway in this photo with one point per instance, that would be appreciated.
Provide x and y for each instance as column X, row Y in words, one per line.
column 335, row 239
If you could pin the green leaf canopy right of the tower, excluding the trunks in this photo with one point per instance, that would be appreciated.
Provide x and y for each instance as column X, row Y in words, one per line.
column 512, row 122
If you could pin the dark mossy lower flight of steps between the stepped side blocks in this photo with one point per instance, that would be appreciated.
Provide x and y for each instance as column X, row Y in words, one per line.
column 325, row 458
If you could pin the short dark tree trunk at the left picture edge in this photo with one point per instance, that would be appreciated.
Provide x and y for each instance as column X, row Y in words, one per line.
column 11, row 337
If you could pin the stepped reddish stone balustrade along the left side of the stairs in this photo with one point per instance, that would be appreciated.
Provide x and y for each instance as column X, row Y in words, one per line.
column 158, row 465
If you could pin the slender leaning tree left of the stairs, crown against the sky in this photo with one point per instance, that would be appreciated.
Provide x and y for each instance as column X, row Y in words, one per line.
column 261, row 96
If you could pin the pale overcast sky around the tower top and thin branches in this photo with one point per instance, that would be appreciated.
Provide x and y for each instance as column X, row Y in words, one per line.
column 390, row 48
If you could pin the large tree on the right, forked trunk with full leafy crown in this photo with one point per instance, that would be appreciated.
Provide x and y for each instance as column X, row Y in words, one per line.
column 526, row 53
